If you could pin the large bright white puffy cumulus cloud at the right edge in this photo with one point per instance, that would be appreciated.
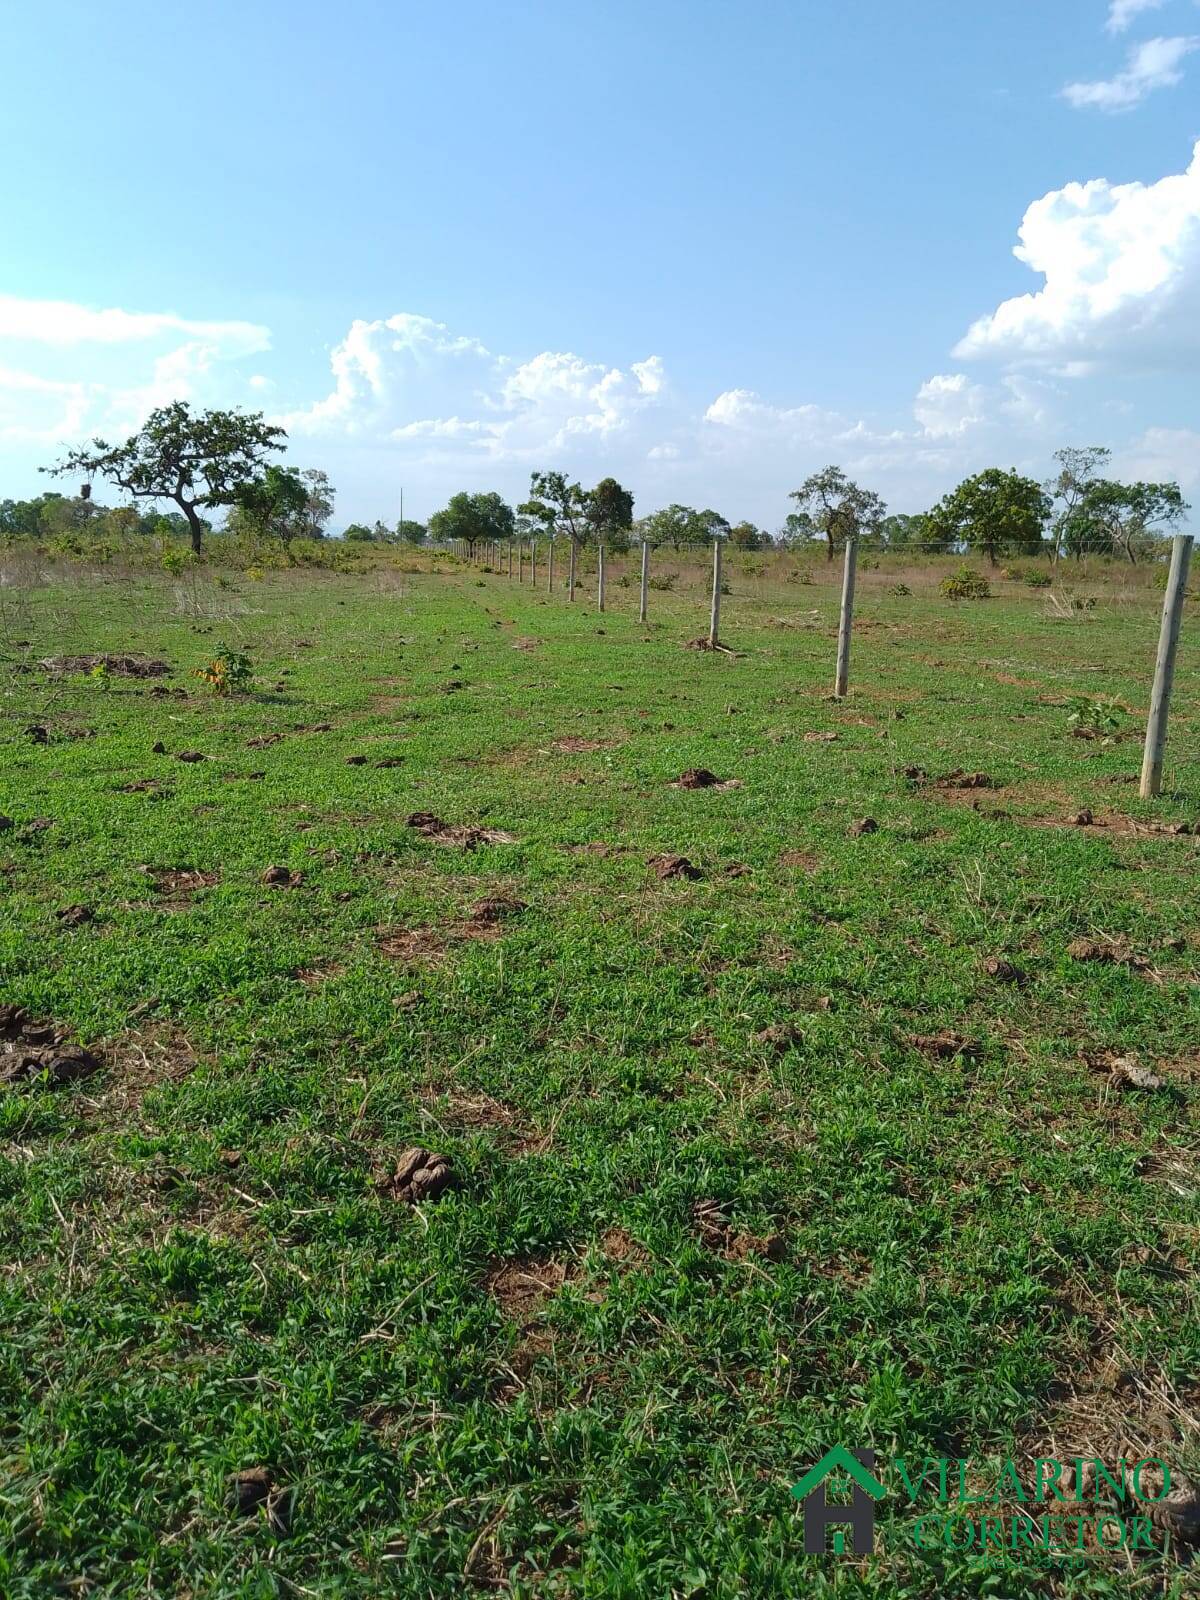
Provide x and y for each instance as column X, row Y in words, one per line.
column 1122, row 274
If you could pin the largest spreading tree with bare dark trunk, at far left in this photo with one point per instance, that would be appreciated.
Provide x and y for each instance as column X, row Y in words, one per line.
column 193, row 460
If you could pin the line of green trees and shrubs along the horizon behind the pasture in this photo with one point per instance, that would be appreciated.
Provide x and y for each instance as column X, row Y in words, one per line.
column 217, row 462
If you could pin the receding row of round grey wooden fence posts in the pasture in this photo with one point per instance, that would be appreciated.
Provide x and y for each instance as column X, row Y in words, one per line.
column 1164, row 670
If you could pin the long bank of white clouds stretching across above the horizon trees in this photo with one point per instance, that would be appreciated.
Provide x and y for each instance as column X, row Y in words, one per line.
column 412, row 401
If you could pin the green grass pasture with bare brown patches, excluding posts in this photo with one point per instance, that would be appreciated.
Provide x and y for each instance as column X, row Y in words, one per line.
column 929, row 1212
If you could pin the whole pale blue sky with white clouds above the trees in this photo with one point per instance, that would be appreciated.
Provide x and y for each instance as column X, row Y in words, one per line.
column 703, row 247
